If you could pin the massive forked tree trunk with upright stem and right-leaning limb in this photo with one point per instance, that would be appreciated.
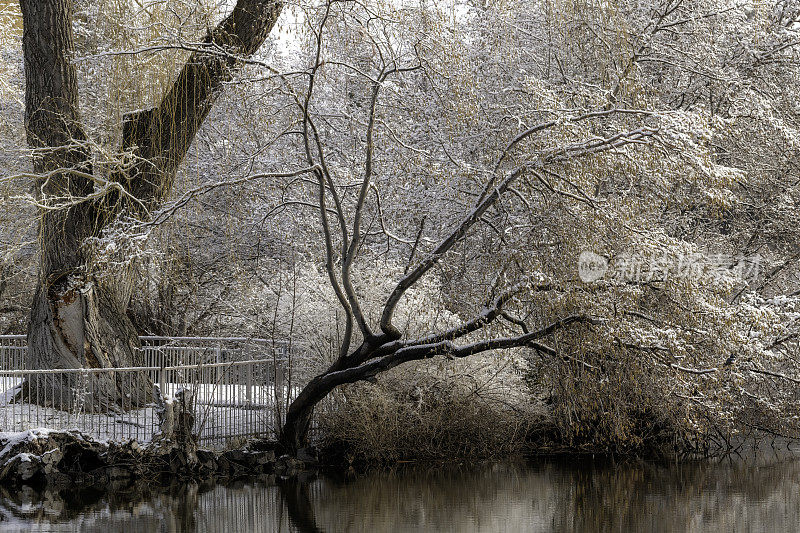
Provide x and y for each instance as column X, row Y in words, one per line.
column 78, row 318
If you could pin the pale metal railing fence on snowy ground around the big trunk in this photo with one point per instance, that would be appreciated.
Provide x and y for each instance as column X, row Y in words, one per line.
column 239, row 386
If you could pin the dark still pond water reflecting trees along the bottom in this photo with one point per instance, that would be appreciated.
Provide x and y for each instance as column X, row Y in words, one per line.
column 534, row 495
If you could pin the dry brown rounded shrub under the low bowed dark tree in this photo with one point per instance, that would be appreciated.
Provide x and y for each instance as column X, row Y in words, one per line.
column 430, row 412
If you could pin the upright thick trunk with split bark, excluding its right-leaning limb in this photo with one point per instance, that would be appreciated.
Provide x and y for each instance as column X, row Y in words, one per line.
column 76, row 321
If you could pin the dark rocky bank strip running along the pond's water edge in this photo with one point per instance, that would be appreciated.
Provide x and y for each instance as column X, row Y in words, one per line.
column 55, row 459
